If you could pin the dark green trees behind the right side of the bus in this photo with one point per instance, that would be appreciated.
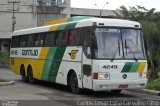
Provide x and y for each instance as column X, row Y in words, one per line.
column 151, row 27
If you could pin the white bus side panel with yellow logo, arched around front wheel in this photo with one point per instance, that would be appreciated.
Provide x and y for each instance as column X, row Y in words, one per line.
column 72, row 60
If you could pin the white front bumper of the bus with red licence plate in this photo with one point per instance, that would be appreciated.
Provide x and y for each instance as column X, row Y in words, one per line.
column 103, row 85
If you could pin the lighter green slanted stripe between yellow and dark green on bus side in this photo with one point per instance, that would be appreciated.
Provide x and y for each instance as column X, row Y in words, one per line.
column 48, row 62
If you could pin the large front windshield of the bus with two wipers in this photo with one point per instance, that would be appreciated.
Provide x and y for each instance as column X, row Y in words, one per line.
column 118, row 43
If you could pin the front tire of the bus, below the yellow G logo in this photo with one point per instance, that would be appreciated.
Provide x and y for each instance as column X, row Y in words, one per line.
column 74, row 83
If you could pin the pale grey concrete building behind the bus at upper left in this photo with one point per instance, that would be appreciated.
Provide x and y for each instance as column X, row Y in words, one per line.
column 33, row 13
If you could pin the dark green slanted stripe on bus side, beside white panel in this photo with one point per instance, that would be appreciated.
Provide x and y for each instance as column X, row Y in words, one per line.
column 57, row 59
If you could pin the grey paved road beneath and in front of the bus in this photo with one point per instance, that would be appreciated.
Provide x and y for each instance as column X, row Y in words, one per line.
column 45, row 93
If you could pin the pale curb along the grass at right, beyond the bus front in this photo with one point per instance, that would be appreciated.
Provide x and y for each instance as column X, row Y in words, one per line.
column 152, row 92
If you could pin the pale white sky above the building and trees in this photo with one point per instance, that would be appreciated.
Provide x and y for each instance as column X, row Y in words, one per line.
column 115, row 4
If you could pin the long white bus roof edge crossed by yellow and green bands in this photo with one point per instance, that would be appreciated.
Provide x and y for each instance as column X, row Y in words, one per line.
column 102, row 22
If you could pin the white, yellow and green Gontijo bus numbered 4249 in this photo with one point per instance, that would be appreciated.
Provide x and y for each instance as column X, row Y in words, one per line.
column 83, row 53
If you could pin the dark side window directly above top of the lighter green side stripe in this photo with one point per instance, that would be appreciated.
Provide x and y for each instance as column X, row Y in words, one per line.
column 50, row 39
